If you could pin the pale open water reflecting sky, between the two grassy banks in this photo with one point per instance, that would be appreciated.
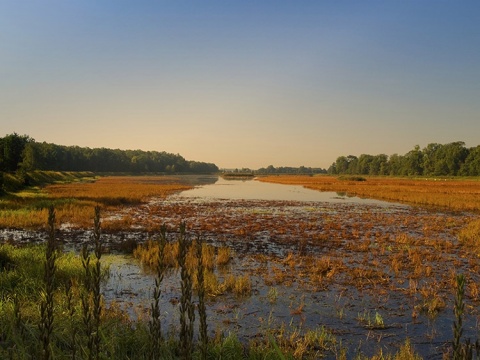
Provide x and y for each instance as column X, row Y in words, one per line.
column 257, row 190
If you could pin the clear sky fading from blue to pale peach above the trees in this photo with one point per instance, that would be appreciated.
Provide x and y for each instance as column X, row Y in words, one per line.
column 242, row 83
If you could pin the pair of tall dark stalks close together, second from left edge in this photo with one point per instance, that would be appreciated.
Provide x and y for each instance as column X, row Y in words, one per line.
column 91, row 299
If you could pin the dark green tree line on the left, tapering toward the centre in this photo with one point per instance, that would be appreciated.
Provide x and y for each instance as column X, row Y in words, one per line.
column 22, row 153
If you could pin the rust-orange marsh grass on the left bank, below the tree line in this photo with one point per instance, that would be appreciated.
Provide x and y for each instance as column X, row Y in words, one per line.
column 74, row 202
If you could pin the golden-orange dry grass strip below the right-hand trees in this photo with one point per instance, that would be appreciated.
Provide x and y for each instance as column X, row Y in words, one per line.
column 458, row 194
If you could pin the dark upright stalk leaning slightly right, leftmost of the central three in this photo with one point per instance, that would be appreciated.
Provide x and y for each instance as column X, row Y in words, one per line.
column 155, row 323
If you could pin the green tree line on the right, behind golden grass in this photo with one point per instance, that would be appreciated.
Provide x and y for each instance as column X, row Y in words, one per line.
column 452, row 159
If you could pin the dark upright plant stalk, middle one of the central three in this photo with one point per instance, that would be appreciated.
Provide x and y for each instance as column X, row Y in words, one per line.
column 186, row 305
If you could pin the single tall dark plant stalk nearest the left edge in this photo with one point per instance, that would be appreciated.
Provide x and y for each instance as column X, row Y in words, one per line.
column 47, row 304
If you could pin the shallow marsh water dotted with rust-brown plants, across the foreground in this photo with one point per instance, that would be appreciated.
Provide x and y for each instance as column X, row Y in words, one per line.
column 372, row 274
